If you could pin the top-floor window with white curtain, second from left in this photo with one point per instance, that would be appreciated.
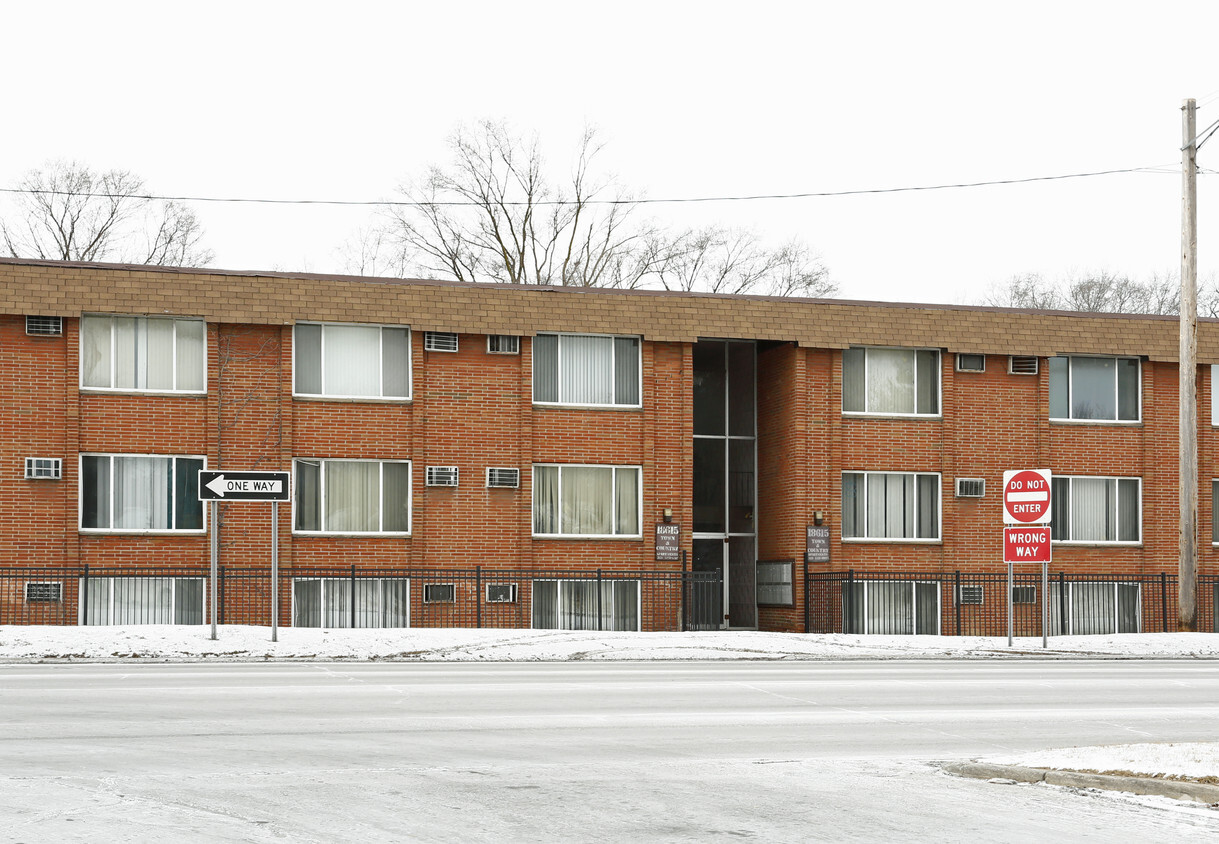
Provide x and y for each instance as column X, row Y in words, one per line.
column 352, row 362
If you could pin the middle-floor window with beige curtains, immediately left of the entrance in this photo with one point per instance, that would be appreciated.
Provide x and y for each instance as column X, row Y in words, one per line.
column 578, row 501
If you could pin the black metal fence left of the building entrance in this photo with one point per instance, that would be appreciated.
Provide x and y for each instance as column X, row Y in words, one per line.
column 337, row 598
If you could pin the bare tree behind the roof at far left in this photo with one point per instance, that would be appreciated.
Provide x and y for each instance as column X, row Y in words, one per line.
column 70, row 213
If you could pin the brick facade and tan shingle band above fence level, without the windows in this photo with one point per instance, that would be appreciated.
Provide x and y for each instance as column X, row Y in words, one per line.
column 475, row 410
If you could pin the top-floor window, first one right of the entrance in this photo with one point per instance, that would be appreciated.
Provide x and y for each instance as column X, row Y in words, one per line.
column 892, row 382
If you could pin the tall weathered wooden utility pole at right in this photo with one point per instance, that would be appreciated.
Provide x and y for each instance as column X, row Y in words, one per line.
column 1188, row 574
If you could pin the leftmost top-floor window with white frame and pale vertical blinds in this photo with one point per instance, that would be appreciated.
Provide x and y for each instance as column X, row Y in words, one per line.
column 143, row 354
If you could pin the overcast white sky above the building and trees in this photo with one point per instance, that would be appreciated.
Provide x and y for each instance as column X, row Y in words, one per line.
column 694, row 99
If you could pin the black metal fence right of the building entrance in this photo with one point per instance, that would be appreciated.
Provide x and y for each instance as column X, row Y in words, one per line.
column 976, row 603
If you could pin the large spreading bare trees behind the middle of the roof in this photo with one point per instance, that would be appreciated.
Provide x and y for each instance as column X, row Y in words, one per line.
column 493, row 215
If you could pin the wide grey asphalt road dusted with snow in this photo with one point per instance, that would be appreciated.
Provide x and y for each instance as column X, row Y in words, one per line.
column 577, row 752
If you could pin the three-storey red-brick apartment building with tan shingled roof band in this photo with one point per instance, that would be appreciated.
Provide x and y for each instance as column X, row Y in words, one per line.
column 541, row 435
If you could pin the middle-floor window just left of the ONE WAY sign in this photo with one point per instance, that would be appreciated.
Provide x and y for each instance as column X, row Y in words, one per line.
column 141, row 493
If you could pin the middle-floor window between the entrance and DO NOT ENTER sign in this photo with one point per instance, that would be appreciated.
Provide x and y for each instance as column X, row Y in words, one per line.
column 890, row 506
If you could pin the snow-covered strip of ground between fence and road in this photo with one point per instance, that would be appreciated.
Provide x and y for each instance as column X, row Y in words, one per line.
column 170, row 642
